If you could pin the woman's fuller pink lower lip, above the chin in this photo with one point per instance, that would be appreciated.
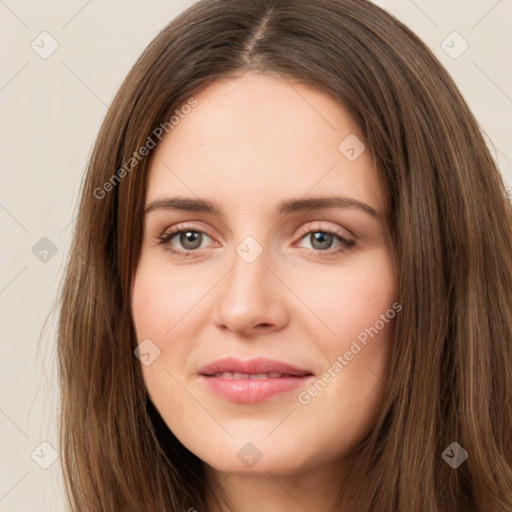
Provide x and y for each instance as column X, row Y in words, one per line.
column 252, row 390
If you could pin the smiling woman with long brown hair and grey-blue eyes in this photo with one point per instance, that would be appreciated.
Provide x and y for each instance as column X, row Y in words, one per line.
column 290, row 282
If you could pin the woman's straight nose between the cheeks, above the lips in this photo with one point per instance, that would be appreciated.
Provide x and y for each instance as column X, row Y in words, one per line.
column 251, row 300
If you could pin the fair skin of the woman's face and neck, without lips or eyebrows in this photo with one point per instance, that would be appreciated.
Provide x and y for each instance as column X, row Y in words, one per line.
column 250, row 143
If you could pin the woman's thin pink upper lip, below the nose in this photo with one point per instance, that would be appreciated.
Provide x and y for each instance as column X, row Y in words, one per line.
column 253, row 366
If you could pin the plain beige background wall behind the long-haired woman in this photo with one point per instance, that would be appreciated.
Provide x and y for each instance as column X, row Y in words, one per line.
column 51, row 110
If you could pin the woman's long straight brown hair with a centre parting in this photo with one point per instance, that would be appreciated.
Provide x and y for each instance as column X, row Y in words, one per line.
column 451, row 225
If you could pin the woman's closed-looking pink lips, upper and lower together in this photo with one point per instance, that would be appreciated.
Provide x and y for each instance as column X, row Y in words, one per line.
column 252, row 387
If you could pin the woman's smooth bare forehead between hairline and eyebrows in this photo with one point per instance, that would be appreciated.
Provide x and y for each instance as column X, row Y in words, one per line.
column 257, row 139
